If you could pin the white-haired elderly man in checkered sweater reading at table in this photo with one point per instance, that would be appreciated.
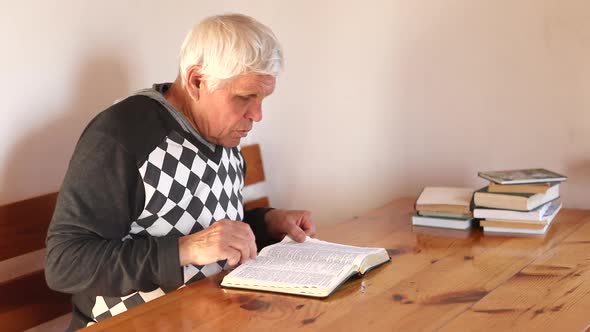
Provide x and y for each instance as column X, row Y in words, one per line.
column 152, row 197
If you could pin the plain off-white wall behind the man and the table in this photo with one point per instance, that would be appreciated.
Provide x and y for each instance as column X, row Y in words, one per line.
column 378, row 99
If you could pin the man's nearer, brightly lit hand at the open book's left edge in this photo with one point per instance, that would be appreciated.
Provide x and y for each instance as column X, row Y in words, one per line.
column 225, row 239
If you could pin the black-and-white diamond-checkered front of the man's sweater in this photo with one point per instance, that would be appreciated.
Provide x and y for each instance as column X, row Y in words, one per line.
column 185, row 192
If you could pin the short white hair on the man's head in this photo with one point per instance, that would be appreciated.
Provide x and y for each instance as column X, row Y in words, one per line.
column 226, row 46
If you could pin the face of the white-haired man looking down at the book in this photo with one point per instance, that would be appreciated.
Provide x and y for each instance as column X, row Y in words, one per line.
column 227, row 114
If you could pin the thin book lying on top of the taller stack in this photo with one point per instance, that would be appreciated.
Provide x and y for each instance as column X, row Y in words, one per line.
column 516, row 176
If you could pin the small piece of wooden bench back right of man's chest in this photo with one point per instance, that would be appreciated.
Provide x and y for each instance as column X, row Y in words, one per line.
column 253, row 190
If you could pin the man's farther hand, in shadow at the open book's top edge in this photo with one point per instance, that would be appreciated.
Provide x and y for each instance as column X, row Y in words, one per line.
column 296, row 224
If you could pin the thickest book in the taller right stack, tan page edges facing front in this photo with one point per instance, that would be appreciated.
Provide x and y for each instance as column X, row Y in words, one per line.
column 514, row 201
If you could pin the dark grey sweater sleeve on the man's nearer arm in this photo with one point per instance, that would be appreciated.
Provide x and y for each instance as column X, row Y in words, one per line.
column 100, row 197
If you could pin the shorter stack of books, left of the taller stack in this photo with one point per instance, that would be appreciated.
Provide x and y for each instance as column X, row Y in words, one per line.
column 444, row 207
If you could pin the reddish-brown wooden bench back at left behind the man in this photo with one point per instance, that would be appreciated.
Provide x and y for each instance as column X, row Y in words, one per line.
column 25, row 300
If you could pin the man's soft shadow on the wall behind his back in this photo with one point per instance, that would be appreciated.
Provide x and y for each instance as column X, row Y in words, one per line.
column 38, row 160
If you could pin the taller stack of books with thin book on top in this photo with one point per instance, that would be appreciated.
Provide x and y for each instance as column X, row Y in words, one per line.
column 518, row 202
